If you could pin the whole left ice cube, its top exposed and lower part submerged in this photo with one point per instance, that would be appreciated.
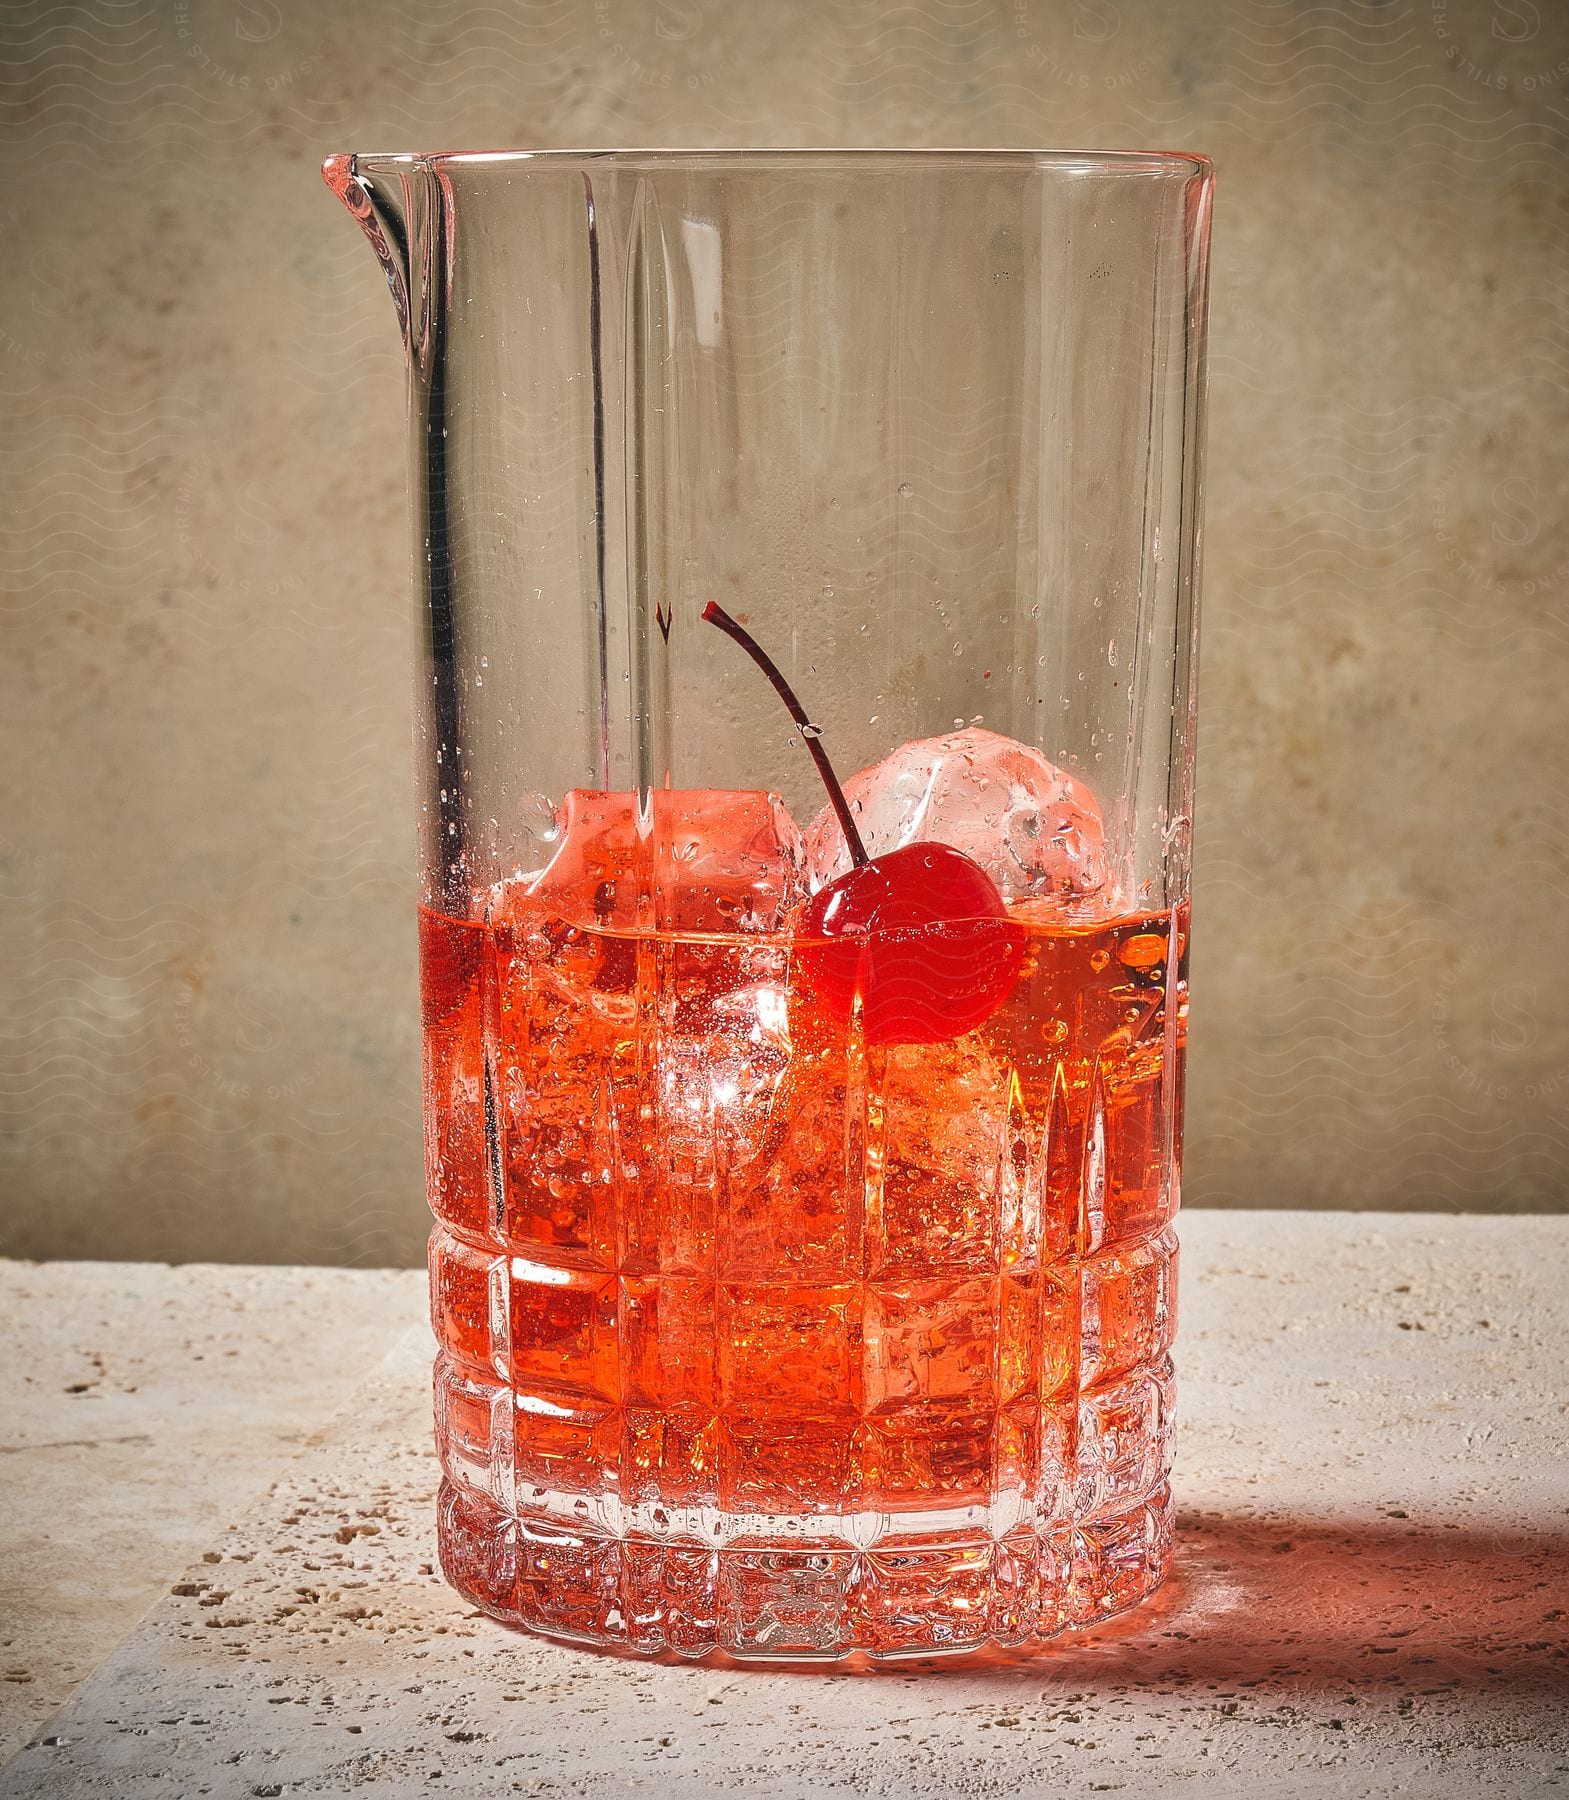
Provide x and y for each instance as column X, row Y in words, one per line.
column 627, row 1050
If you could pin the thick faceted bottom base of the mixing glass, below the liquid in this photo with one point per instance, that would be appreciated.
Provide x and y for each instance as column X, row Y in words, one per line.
column 798, row 1596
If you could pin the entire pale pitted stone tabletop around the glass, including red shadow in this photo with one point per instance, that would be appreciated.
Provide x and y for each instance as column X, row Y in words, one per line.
column 1372, row 1592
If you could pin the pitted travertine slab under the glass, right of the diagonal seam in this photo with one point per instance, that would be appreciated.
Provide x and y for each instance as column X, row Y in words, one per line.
column 1370, row 1588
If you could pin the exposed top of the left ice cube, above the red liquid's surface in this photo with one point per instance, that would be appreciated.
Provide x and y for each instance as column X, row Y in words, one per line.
column 708, row 861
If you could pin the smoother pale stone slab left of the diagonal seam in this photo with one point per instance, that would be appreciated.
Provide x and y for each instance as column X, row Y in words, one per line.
column 143, row 1410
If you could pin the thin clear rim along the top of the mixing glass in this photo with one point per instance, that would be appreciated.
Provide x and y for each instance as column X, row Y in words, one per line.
column 742, row 161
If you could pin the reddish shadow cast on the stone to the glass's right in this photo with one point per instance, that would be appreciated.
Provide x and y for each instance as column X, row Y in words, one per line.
column 1401, row 1606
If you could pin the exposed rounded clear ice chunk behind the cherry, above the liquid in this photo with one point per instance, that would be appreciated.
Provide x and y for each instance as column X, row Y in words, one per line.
column 1034, row 827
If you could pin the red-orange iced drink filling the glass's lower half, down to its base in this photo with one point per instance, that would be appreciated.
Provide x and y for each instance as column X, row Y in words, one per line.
column 766, row 1338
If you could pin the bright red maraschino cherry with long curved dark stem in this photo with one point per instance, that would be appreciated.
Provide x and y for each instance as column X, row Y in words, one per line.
column 920, row 937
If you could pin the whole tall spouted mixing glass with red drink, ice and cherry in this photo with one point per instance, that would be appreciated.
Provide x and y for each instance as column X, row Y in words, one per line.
column 807, row 555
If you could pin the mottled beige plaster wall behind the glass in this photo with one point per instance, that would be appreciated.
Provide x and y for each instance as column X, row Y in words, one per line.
column 206, row 940
